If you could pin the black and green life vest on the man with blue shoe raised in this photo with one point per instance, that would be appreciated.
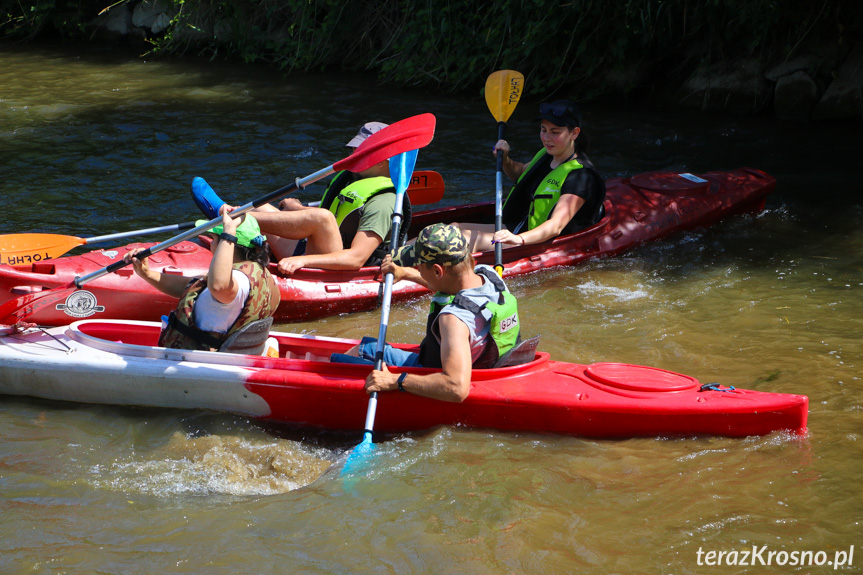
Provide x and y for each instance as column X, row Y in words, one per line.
column 345, row 197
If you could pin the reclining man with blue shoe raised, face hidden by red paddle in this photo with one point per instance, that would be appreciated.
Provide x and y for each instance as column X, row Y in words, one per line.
column 350, row 229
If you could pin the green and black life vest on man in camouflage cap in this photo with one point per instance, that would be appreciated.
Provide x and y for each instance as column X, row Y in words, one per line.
column 504, row 328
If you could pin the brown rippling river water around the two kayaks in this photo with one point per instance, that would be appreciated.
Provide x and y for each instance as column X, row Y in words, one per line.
column 96, row 143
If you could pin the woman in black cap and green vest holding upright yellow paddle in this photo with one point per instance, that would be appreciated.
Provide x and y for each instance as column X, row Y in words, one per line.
column 557, row 192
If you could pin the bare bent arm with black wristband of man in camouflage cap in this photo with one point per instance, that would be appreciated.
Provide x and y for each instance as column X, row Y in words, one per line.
column 451, row 384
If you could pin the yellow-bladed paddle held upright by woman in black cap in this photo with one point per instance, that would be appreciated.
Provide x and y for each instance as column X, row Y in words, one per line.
column 502, row 92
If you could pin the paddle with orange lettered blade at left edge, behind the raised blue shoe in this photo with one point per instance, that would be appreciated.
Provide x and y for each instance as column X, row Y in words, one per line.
column 426, row 187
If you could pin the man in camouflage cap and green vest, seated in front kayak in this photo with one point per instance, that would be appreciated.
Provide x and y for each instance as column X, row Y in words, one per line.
column 473, row 319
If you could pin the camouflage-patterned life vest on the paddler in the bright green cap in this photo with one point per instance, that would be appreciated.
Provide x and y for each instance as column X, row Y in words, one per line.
column 182, row 331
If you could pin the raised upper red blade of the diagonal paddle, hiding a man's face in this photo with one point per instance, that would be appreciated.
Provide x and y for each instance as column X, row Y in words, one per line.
column 409, row 134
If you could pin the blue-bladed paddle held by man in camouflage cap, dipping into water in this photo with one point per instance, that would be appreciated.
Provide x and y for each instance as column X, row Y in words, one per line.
column 401, row 168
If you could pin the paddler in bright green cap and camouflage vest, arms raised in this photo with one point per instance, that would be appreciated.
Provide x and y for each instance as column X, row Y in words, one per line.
column 237, row 290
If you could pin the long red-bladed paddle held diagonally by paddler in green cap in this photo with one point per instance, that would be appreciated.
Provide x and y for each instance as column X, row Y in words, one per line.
column 408, row 134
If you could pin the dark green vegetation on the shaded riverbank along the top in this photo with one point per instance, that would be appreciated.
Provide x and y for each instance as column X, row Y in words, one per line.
column 587, row 47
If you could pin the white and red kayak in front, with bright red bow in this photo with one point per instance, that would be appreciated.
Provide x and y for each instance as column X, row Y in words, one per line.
column 114, row 362
